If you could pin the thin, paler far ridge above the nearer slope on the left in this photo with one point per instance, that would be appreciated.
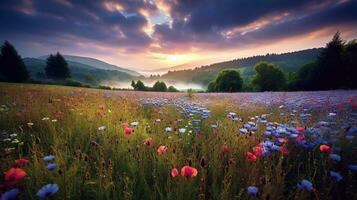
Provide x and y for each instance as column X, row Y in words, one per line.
column 95, row 63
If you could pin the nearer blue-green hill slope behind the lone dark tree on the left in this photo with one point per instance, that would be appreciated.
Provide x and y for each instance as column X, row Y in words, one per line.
column 80, row 72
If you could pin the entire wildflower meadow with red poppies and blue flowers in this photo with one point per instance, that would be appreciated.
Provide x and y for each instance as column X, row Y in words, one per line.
column 74, row 143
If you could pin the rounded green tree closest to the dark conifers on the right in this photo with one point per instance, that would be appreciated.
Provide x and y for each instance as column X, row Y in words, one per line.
column 269, row 77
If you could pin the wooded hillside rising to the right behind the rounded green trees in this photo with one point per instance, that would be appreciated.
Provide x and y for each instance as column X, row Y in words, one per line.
column 289, row 62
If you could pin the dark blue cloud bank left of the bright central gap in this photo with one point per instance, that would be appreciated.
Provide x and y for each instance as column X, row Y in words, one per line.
column 82, row 20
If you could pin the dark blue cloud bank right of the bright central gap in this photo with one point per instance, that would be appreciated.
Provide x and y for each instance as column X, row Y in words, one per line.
column 207, row 20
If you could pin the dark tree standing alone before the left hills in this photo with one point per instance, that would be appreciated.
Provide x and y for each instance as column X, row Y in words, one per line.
column 57, row 67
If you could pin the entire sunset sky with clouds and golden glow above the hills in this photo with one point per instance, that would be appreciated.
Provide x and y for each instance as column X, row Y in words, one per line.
column 148, row 35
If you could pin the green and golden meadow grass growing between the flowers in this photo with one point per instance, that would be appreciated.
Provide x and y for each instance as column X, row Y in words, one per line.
column 107, row 164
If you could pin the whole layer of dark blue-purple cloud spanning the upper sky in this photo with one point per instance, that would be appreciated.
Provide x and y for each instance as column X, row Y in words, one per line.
column 62, row 23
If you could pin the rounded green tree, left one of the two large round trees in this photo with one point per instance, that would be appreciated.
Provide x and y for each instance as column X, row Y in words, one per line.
column 226, row 81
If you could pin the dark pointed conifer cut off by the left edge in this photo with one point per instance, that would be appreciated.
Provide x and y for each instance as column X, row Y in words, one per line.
column 12, row 68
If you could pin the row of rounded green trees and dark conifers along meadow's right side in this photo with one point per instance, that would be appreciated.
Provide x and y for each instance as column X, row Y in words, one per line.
column 335, row 68
